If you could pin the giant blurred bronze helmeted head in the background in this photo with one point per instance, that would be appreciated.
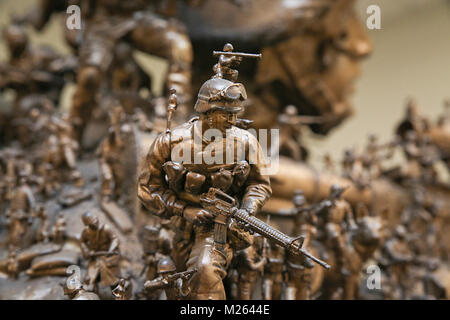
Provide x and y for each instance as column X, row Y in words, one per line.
column 311, row 57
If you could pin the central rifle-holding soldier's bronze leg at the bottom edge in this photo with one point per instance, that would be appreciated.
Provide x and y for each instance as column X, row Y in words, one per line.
column 211, row 267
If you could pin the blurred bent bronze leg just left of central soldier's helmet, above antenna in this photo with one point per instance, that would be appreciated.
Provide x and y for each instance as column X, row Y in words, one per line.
column 167, row 39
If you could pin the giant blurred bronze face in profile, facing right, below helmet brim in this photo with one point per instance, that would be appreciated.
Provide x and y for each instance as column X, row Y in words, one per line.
column 324, row 62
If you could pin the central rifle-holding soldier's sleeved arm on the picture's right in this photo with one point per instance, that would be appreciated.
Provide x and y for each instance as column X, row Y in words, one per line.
column 258, row 189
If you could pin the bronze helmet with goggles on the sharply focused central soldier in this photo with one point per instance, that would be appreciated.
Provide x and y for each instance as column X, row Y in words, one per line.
column 220, row 94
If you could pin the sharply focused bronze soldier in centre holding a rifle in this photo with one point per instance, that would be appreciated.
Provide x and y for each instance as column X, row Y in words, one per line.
column 219, row 101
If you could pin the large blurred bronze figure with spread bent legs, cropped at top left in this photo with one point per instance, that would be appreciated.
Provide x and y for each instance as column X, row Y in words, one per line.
column 139, row 24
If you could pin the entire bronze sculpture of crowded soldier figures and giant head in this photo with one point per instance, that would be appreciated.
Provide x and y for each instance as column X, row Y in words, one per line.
column 96, row 200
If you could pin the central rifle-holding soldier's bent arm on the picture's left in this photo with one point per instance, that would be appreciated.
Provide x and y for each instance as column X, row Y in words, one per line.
column 152, row 188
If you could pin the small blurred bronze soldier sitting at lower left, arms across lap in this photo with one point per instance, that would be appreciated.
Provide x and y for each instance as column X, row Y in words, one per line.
column 101, row 247
